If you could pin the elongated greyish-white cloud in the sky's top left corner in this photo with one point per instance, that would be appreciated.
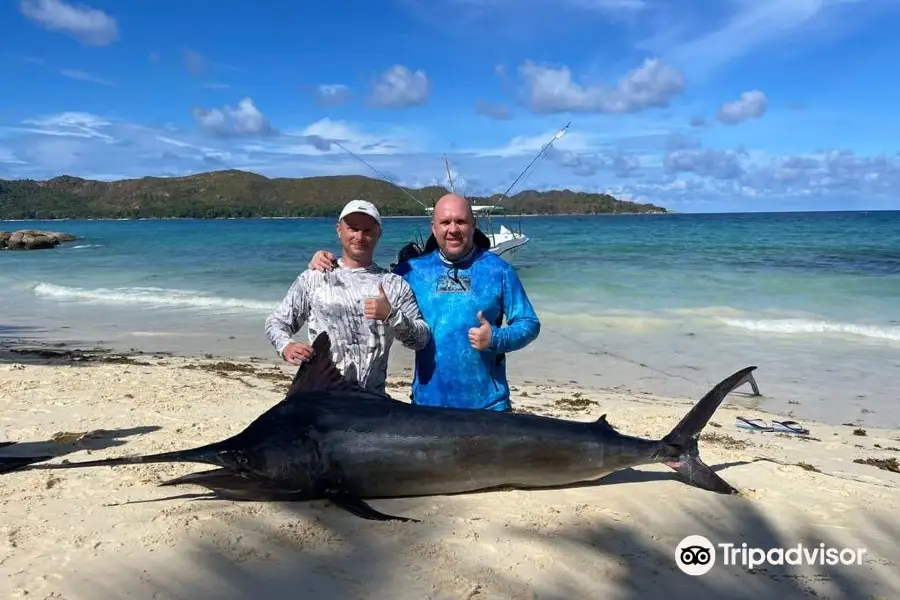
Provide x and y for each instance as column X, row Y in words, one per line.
column 88, row 25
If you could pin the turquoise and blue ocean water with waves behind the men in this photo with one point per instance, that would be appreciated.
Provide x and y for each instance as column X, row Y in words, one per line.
column 668, row 304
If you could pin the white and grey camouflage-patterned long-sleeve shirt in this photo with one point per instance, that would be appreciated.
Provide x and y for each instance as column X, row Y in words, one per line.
column 335, row 302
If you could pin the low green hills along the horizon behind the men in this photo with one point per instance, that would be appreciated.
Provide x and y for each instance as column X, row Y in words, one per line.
column 225, row 194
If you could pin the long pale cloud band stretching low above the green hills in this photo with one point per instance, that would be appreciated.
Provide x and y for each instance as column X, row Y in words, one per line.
column 677, row 172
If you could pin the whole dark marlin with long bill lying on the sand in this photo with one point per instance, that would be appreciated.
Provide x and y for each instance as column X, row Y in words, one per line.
column 331, row 439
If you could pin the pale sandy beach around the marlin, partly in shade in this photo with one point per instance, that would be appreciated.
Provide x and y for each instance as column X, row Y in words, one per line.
column 98, row 534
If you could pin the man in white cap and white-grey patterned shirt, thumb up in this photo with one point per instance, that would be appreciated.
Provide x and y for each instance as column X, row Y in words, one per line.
column 361, row 305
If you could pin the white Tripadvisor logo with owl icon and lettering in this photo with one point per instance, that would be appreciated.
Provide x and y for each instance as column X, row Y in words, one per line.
column 696, row 555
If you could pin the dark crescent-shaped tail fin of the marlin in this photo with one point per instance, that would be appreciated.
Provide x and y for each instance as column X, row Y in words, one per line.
column 684, row 437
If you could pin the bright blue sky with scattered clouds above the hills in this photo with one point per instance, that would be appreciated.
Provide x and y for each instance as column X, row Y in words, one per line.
column 696, row 105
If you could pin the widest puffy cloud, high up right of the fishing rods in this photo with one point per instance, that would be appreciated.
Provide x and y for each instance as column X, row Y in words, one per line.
column 652, row 85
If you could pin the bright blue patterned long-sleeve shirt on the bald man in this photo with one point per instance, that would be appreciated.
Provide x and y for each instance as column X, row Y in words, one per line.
column 448, row 371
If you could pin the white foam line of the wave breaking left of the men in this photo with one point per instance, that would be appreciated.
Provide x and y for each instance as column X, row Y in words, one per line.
column 151, row 296
